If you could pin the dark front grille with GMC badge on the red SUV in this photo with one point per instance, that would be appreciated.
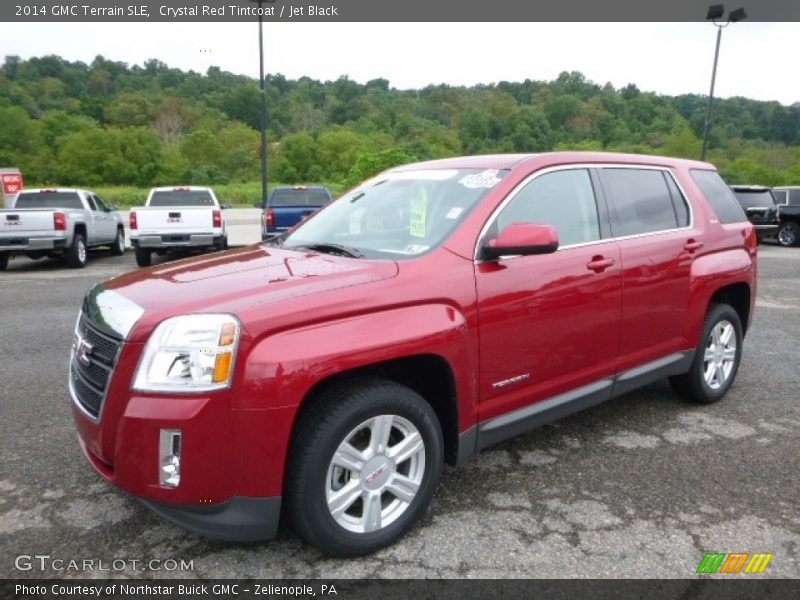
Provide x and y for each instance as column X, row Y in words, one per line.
column 94, row 356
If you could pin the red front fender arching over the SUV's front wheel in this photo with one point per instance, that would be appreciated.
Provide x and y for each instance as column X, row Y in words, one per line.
column 282, row 368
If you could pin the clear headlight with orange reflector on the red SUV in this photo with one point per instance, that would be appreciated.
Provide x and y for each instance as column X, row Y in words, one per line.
column 190, row 353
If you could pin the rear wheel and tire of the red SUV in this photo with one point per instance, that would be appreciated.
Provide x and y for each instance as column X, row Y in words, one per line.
column 716, row 360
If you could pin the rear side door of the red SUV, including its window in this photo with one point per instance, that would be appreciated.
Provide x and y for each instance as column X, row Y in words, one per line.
column 652, row 223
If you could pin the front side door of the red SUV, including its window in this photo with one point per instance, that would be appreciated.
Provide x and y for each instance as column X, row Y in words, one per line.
column 549, row 323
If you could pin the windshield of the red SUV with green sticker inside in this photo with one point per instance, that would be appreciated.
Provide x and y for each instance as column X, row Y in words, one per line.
column 395, row 215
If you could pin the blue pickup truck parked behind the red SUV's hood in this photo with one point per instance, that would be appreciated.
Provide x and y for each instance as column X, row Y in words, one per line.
column 286, row 206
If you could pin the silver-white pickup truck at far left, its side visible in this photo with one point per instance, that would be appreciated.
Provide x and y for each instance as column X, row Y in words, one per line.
column 58, row 222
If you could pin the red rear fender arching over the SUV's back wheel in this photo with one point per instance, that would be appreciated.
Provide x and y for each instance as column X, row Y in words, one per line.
column 709, row 274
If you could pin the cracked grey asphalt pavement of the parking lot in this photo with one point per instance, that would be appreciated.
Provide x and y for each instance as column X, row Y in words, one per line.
column 640, row 487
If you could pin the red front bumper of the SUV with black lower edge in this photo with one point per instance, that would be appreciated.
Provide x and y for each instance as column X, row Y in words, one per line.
column 223, row 492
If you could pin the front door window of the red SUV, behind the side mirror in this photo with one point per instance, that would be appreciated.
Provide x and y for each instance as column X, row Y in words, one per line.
column 564, row 199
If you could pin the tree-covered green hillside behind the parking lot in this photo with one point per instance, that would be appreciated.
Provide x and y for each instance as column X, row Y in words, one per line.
column 110, row 124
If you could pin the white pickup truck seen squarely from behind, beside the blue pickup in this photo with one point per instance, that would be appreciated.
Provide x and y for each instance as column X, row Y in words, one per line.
column 177, row 219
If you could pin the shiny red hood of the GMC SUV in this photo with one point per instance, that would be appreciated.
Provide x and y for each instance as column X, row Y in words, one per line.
column 234, row 282
